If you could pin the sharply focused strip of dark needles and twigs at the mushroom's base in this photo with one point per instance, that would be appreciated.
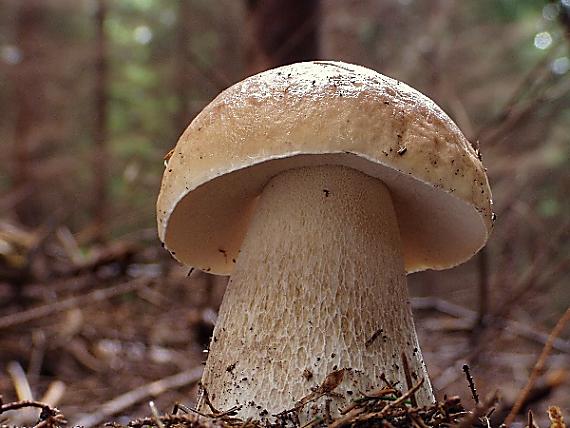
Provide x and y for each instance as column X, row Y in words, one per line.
column 384, row 407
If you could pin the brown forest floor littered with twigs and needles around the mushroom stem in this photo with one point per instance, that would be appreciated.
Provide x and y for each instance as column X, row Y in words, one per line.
column 119, row 335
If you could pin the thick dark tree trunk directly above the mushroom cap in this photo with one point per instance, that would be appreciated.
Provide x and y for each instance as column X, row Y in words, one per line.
column 281, row 33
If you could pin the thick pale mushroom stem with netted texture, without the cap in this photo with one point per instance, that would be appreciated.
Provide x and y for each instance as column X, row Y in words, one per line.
column 319, row 286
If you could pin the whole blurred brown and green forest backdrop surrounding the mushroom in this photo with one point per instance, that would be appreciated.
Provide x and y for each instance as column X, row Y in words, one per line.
column 94, row 93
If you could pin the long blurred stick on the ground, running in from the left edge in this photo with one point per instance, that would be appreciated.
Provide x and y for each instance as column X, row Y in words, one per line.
column 62, row 305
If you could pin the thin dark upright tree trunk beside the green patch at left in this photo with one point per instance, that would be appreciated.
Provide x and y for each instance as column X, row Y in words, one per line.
column 100, row 159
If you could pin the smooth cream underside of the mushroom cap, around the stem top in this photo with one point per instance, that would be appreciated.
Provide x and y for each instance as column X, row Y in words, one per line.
column 438, row 230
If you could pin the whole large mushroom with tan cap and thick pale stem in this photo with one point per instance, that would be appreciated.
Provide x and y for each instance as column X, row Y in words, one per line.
column 318, row 186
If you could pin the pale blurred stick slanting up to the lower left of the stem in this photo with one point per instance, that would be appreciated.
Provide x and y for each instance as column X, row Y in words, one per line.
column 137, row 395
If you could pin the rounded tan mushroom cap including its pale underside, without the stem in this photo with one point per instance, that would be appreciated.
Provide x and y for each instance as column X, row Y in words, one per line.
column 318, row 113
